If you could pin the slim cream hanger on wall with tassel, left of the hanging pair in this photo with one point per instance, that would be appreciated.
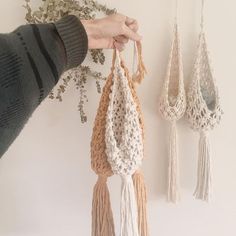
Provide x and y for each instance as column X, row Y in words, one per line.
column 172, row 108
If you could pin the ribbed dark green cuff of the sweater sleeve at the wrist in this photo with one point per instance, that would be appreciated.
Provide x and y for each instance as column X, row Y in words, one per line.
column 74, row 37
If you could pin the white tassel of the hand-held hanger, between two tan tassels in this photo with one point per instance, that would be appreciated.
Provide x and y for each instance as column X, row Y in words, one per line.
column 129, row 214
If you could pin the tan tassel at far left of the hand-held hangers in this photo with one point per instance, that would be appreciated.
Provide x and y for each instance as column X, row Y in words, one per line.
column 102, row 217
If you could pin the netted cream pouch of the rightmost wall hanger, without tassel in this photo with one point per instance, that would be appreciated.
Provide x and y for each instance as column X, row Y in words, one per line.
column 203, row 109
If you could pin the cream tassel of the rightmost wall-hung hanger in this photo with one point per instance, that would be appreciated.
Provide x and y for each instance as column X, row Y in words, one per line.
column 203, row 189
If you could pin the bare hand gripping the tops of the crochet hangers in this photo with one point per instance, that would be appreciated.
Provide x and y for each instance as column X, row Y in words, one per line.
column 113, row 31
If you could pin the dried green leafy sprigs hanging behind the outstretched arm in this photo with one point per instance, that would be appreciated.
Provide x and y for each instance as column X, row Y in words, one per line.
column 53, row 10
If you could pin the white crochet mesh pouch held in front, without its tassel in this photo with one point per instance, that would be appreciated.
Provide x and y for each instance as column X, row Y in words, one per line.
column 124, row 144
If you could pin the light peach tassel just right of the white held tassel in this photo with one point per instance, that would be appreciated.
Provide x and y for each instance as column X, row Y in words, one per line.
column 141, row 198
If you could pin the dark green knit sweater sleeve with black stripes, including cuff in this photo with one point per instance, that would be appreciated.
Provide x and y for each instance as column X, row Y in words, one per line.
column 32, row 59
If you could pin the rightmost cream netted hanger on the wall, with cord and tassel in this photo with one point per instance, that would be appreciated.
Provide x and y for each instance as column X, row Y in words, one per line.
column 203, row 112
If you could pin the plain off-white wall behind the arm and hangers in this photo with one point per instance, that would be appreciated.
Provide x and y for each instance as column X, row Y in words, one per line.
column 45, row 177
